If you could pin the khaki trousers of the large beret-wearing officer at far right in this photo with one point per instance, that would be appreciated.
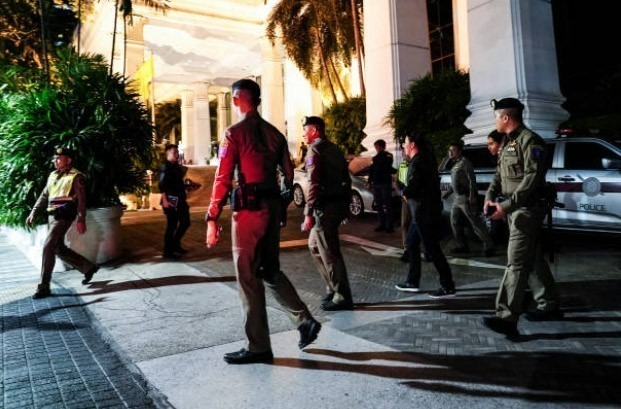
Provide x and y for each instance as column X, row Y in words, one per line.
column 526, row 266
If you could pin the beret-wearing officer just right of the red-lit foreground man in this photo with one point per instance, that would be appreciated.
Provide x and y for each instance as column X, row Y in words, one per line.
column 327, row 205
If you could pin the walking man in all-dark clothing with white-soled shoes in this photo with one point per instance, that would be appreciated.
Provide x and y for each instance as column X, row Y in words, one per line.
column 423, row 194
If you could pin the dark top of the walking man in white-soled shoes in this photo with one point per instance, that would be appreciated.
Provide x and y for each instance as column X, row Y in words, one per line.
column 423, row 189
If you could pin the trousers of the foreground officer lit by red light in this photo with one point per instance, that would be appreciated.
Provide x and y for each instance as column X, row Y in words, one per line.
column 256, row 240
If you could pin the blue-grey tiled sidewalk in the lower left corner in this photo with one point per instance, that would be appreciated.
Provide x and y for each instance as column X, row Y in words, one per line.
column 53, row 355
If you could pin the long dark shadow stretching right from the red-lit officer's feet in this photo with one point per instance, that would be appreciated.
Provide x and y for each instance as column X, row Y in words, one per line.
column 531, row 376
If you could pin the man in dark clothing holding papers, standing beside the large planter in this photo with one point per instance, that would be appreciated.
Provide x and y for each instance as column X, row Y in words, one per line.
column 174, row 202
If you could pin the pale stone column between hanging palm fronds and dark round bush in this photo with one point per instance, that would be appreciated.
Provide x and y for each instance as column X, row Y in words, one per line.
column 396, row 42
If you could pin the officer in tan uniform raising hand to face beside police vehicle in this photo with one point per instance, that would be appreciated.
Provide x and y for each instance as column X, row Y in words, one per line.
column 464, row 186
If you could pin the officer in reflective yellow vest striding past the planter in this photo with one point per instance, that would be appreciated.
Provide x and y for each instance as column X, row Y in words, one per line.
column 64, row 200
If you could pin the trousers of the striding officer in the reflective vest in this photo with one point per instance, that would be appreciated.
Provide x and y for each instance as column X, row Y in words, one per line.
column 55, row 246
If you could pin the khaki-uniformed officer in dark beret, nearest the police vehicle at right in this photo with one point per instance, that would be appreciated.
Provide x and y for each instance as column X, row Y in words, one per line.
column 520, row 182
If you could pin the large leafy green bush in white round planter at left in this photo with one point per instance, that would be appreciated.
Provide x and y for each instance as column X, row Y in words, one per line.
column 96, row 114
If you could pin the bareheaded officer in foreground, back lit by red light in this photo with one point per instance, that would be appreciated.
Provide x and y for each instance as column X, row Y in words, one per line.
column 254, row 151
